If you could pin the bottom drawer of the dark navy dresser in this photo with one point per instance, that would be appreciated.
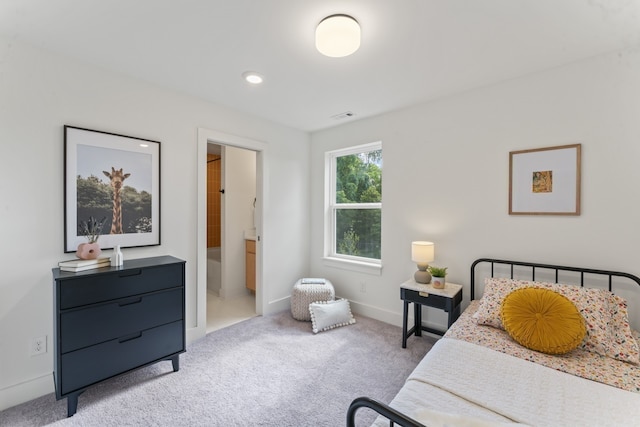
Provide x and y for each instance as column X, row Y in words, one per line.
column 93, row 364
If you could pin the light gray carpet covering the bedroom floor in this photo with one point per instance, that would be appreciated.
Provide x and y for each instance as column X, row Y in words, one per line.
column 266, row 371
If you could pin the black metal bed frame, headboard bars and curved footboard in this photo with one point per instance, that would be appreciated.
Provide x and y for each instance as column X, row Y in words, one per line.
column 396, row 417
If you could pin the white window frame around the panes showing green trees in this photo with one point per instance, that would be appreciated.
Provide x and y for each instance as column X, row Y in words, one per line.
column 331, row 257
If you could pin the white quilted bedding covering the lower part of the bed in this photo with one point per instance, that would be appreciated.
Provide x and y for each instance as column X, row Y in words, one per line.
column 463, row 378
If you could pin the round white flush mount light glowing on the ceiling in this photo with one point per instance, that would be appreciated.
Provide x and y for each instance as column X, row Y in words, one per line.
column 338, row 36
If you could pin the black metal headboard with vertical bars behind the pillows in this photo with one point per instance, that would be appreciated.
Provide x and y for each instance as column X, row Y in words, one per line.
column 549, row 272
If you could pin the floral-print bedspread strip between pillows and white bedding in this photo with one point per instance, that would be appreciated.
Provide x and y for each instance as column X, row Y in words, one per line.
column 578, row 362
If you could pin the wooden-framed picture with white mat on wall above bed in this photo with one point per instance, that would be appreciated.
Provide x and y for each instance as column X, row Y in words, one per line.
column 545, row 181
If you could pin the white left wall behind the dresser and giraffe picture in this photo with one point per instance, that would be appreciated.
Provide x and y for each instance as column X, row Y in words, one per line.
column 39, row 93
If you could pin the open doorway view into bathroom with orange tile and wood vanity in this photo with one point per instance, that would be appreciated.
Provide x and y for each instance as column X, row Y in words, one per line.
column 231, row 232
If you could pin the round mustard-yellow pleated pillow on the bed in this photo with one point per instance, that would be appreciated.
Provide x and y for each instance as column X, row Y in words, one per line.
column 542, row 320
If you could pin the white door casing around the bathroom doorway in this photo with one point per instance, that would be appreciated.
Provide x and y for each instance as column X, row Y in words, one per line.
column 206, row 137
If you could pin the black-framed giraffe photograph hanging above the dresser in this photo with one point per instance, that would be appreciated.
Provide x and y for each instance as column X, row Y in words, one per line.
column 113, row 182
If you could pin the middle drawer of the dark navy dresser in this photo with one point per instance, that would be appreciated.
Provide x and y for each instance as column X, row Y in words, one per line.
column 103, row 322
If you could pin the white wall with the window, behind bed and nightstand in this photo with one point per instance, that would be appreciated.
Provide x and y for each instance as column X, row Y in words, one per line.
column 445, row 179
